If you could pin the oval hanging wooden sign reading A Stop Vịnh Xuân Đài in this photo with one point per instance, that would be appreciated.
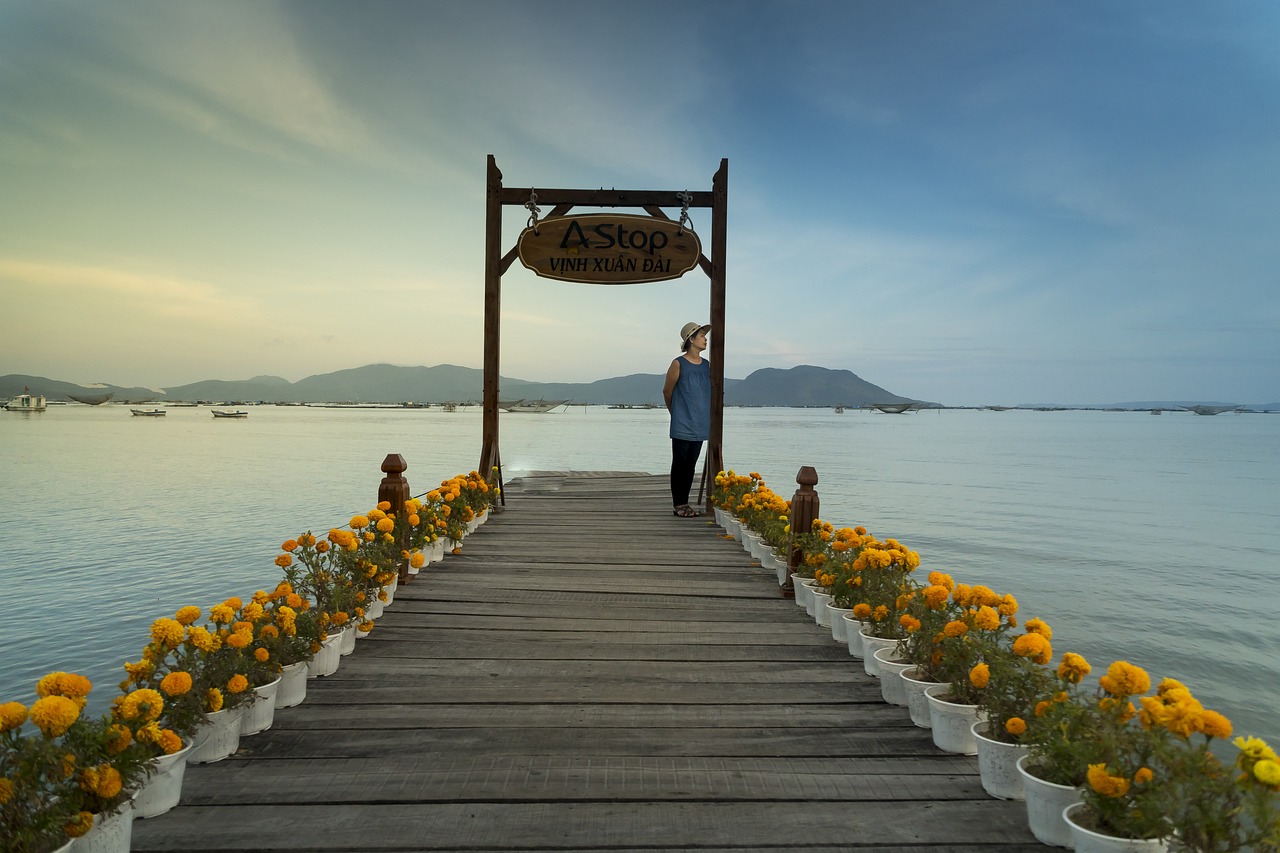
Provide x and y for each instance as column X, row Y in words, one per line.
column 610, row 249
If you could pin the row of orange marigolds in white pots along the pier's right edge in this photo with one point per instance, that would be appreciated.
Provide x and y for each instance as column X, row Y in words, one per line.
column 1122, row 761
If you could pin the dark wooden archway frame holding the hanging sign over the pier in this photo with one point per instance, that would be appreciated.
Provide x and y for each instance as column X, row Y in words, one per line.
column 652, row 202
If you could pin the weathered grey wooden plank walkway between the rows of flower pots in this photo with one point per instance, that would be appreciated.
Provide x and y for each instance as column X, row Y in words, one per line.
column 592, row 674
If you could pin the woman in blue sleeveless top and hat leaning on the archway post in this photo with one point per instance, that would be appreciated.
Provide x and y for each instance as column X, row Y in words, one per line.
column 688, row 393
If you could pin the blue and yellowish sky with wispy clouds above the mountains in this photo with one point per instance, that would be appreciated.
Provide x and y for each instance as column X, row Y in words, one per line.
column 971, row 203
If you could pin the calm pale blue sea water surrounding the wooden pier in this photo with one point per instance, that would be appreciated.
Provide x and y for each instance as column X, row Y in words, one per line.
column 1151, row 540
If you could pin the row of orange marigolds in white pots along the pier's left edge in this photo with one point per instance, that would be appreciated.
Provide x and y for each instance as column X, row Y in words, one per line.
column 207, row 678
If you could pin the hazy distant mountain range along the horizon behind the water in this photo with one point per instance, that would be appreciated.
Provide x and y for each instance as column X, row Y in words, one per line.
column 385, row 384
